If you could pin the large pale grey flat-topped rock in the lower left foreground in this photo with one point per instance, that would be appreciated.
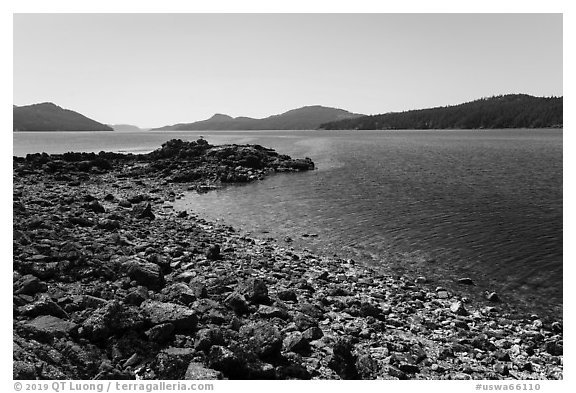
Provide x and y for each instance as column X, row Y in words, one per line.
column 183, row 318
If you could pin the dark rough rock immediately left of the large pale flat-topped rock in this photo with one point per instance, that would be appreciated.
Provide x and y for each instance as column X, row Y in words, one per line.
column 113, row 318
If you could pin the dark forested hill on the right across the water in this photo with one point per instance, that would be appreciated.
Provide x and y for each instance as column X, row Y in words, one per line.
column 506, row 111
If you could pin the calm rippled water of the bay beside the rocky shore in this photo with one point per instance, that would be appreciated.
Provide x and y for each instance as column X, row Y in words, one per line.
column 444, row 204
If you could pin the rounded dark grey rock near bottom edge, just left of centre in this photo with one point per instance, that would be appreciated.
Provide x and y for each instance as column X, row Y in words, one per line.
column 262, row 338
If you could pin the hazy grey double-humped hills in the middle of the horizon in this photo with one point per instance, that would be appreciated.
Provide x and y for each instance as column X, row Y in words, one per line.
column 306, row 118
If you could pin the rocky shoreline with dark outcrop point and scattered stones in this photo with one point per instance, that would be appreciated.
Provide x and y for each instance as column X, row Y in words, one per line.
column 111, row 283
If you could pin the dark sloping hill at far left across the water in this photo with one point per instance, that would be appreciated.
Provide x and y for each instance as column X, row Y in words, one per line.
column 50, row 117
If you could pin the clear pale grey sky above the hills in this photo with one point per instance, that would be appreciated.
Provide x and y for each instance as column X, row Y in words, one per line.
column 159, row 69
